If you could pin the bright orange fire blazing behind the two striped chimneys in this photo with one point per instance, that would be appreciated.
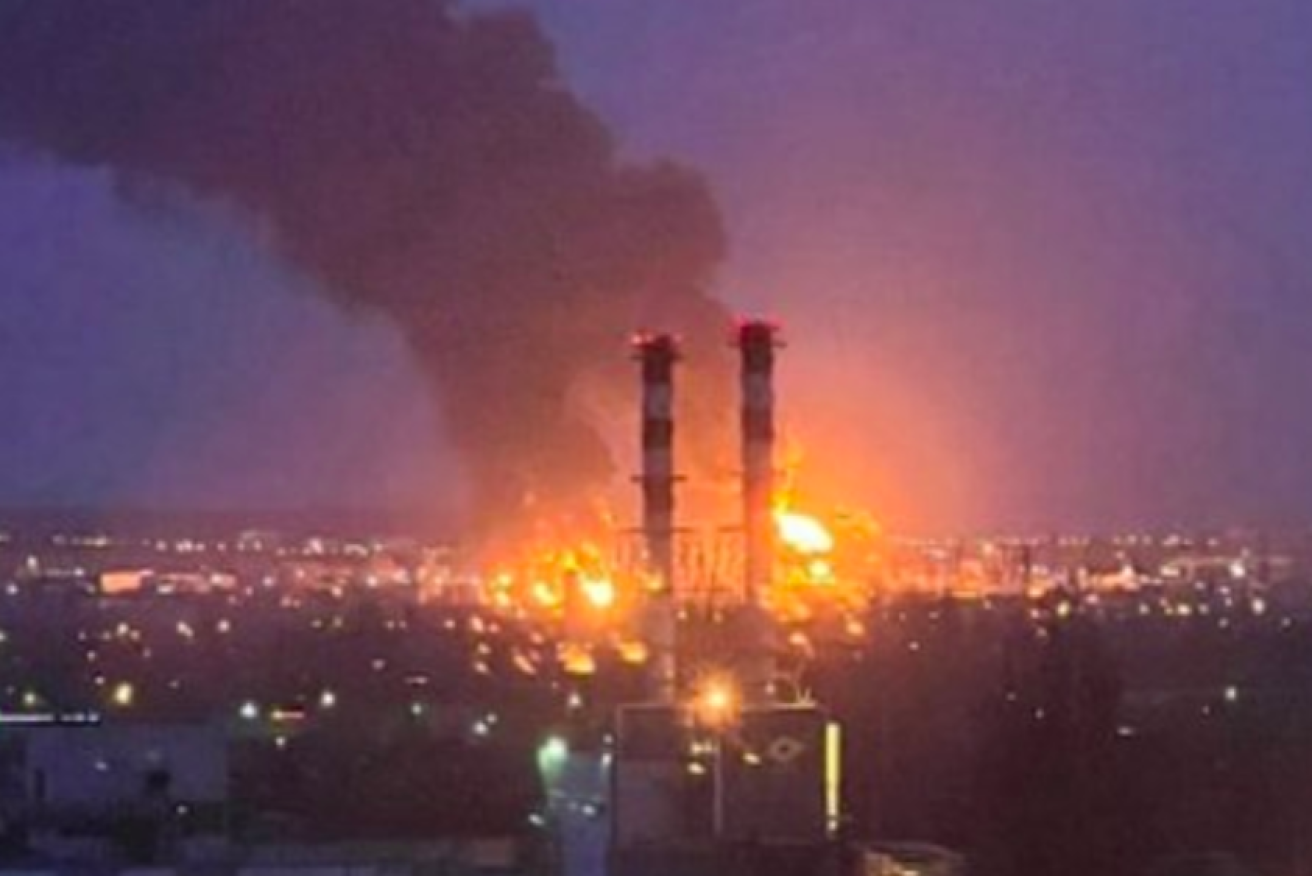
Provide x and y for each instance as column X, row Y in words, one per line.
column 584, row 584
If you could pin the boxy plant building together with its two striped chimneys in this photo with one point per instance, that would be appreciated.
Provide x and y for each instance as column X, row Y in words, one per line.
column 718, row 769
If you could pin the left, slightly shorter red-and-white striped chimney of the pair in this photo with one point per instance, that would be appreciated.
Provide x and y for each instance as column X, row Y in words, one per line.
column 657, row 356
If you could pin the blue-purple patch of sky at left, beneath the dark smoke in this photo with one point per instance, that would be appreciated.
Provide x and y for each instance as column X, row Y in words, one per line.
column 148, row 360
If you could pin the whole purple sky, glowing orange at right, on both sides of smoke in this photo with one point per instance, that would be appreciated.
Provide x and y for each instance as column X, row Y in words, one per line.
column 1041, row 266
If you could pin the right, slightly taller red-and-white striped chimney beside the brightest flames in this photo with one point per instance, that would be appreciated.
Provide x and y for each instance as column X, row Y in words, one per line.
column 758, row 342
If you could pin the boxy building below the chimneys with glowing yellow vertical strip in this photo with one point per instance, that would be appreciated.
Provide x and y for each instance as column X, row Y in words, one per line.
column 758, row 797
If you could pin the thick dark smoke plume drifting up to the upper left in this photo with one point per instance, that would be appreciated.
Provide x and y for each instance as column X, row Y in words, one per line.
column 415, row 161
